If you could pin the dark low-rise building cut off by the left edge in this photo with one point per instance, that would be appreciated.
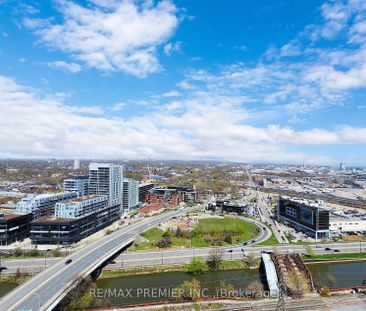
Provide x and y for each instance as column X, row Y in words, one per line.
column 14, row 228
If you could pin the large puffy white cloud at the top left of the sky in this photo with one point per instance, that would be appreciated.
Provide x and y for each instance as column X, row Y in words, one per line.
column 110, row 35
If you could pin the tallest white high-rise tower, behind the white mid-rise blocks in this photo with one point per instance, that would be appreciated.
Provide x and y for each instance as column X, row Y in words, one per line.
column 107, row 179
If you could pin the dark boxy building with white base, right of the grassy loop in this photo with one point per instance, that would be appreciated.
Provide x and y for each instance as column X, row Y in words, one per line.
column 305, row 216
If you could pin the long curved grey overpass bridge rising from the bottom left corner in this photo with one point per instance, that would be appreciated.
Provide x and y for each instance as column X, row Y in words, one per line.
column 48, row 288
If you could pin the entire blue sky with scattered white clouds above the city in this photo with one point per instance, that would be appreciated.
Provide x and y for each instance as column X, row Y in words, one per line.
column 253, row 81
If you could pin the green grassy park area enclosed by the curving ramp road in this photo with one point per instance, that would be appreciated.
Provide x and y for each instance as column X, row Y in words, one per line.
column 207, row 232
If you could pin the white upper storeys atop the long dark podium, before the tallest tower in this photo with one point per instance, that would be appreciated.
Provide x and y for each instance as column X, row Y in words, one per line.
column 80, row 207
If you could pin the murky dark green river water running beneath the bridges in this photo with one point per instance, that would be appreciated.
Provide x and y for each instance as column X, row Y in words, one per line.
column 334, row 275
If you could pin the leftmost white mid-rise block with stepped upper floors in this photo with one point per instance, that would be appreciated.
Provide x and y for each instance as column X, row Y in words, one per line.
column 42, row 204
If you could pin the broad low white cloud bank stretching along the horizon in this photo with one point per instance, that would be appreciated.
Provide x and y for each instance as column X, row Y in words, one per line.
column 205, row 128
